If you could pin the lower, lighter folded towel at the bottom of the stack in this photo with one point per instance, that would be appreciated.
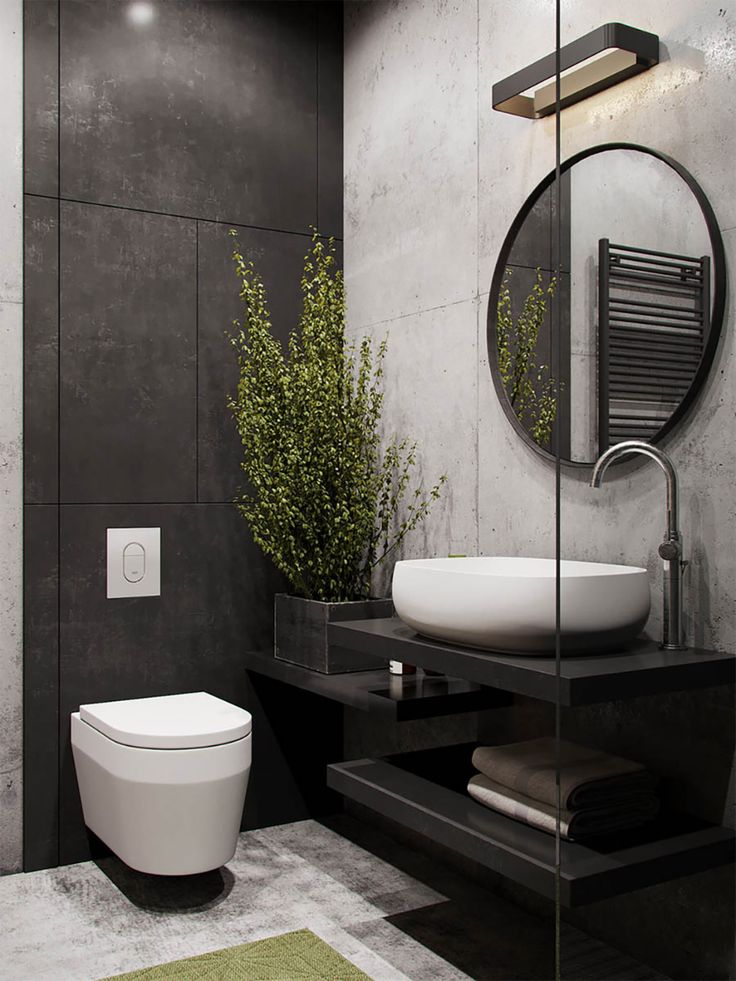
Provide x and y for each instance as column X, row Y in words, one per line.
column 574, row 825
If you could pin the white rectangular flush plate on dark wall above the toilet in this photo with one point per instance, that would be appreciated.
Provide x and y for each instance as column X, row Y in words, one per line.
column 133, row 562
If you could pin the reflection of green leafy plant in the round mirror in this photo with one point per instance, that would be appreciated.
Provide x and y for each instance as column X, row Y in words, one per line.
column 530, row 387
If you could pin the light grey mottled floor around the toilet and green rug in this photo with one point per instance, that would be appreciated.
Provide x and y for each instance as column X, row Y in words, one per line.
column 90, row 920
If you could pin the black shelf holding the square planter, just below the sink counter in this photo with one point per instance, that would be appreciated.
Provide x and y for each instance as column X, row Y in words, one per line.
column 399, row 697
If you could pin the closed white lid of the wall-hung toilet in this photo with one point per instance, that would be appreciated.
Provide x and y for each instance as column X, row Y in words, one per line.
column 169, row 721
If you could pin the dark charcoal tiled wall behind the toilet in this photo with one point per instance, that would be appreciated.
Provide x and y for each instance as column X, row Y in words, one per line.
column 216, row 114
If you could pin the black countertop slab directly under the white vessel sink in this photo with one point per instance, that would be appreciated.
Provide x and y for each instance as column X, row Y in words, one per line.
column 642, row 669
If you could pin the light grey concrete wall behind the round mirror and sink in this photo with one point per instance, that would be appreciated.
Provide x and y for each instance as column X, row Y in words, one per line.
column 433, row 178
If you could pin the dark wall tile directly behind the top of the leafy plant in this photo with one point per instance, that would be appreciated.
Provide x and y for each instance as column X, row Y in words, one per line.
column 280, row 258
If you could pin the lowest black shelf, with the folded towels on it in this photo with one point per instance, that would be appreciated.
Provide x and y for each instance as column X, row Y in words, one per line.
column 425, row 791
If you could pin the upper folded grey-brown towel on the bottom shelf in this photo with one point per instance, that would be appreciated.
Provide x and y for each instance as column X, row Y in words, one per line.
column 588, row 777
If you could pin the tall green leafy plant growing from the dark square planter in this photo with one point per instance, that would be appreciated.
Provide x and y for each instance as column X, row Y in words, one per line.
column 325, row 501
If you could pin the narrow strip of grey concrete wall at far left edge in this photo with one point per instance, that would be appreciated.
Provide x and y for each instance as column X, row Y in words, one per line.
column 11, row 464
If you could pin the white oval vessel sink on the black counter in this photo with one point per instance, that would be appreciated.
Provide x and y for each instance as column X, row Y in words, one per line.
column 508, row 604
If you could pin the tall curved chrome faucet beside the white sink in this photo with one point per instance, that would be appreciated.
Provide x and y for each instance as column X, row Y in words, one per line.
column 670, row 551
